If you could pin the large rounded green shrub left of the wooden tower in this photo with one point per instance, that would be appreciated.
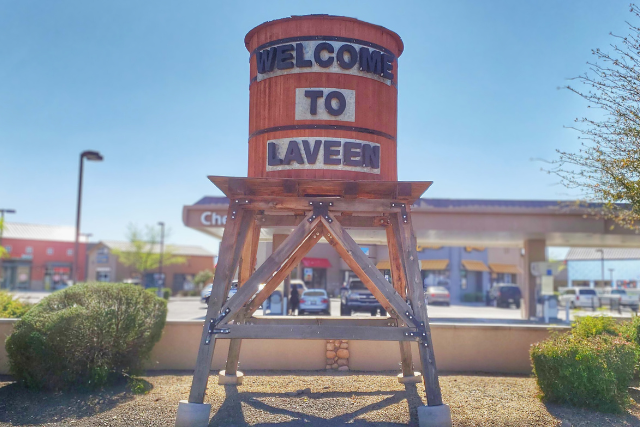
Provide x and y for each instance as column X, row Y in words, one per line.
column 86, row 336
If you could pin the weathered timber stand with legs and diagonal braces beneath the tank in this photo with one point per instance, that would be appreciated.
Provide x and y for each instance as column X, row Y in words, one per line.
column 232, row 319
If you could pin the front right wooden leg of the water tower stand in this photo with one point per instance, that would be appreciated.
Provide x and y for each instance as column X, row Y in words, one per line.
column 401, row 224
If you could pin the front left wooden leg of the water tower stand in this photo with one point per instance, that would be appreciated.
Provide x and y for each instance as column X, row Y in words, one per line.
column 235, row 233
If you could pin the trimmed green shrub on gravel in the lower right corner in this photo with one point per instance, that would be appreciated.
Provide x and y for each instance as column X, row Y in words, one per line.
column 590, row 372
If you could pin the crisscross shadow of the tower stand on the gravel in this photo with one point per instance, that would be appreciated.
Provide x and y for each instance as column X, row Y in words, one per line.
column 231, row 412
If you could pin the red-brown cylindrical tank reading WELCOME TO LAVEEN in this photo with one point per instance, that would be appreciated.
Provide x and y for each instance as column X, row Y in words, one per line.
column 323, row 99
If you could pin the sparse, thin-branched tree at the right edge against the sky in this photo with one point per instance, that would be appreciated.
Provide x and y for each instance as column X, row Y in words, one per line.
column 606, row 168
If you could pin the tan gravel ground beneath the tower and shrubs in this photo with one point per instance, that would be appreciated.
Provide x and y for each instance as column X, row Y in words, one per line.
column 303, row 398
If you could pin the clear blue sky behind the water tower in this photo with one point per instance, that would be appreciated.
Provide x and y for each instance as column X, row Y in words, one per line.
column 140, row 82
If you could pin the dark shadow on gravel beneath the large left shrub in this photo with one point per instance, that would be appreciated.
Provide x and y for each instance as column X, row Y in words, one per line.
column 21, row 406
